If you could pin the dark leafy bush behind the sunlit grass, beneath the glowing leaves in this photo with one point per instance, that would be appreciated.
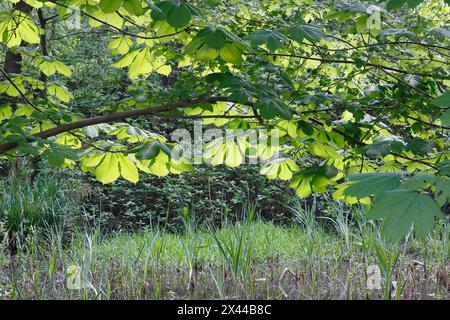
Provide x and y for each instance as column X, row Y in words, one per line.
column 212, row 195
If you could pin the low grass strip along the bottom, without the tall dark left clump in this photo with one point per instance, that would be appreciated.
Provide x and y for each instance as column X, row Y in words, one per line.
column 249, row 260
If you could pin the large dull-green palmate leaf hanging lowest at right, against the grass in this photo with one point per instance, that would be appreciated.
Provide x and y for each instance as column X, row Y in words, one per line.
column 403, row 209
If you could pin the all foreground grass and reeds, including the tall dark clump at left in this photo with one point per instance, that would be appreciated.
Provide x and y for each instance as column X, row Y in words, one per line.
column 318, row 256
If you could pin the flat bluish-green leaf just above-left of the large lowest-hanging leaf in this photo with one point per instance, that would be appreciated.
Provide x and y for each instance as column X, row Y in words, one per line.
column 372, row 184
